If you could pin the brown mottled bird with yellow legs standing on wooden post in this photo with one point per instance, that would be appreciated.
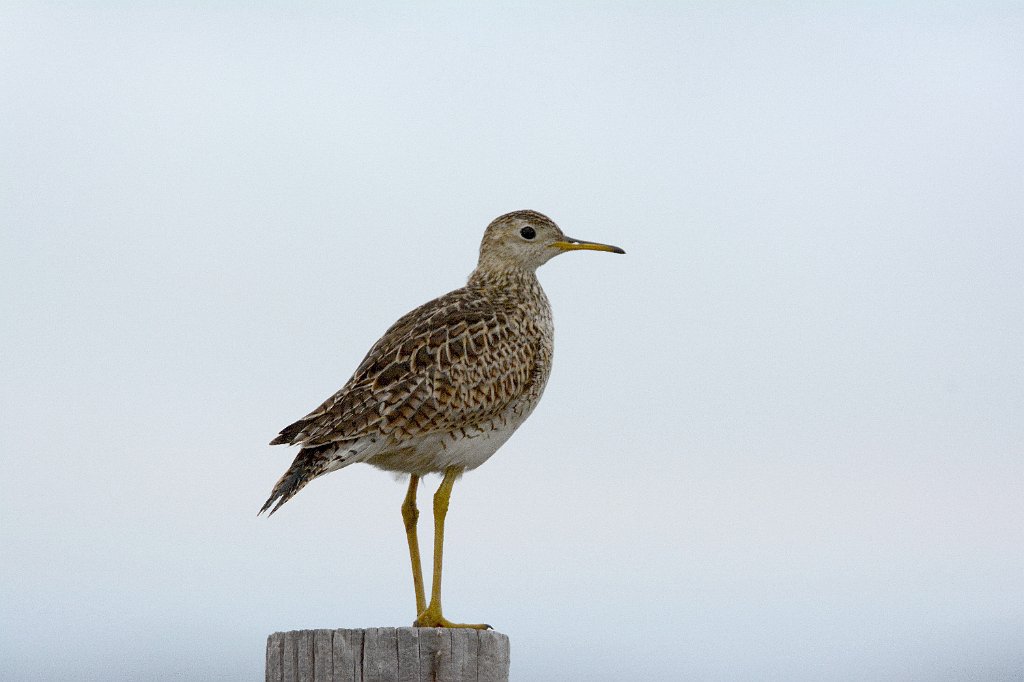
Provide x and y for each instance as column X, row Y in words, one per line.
column 445, row 388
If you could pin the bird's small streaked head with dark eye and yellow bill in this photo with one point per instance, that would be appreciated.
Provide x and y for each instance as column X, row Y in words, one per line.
column 527, row 240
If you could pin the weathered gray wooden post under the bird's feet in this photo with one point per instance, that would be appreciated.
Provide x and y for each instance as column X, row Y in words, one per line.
column 389, row 655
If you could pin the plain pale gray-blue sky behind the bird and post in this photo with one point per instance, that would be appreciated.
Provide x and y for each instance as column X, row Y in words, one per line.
column 784, row 437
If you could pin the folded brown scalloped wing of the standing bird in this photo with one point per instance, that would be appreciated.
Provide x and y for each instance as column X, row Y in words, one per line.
column 454, row 363
